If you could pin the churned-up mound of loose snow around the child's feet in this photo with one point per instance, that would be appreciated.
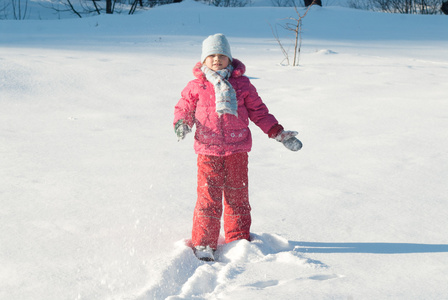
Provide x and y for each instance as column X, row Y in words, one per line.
column 269, row 263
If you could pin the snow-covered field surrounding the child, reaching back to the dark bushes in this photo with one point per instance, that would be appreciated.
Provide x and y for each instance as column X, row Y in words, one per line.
column 97, row 194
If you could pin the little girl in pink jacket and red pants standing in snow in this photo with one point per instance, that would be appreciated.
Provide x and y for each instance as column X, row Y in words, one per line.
column 220, row 101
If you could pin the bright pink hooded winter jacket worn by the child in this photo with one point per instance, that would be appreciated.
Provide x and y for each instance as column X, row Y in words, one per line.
column 228, row 134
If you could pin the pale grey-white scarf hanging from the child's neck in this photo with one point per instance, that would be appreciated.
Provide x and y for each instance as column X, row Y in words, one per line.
column 225, row 94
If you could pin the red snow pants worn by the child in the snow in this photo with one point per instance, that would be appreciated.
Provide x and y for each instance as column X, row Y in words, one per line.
column 217, row 177
